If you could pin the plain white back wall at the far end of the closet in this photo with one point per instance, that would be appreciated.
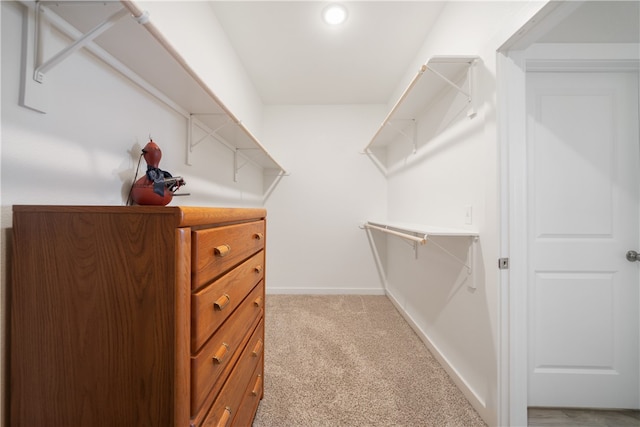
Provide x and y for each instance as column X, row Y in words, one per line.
column 314, row 239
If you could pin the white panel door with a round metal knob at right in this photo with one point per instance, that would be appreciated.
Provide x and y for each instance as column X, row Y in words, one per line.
column 583, row 185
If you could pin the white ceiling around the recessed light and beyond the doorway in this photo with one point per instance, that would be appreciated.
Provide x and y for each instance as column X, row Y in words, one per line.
column 294, row 58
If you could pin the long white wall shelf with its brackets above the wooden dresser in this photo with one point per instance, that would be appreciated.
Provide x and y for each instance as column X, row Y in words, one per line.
column 130, row 43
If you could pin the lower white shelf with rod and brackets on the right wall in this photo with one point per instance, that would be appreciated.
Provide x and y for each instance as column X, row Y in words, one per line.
column 421, row 234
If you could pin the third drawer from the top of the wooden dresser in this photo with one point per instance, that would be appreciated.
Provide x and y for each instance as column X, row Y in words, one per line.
column 213, row 363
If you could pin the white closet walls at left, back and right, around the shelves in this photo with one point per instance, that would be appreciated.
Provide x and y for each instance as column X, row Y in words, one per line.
column 85, row 149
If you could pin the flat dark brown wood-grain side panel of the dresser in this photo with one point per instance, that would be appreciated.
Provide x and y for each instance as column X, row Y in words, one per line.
column 93, row 312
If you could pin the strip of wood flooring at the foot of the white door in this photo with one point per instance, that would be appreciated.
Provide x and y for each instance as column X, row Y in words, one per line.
column 546, row 417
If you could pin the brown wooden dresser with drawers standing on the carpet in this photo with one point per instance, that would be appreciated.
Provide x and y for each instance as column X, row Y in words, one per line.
column 136, row 316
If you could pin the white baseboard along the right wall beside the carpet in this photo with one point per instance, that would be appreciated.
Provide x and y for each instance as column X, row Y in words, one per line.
column 476, row 401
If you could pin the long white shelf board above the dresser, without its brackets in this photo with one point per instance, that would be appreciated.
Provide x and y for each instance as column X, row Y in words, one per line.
column 134, row 47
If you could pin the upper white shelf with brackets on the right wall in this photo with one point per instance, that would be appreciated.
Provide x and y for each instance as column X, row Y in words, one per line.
column 439, row 73
